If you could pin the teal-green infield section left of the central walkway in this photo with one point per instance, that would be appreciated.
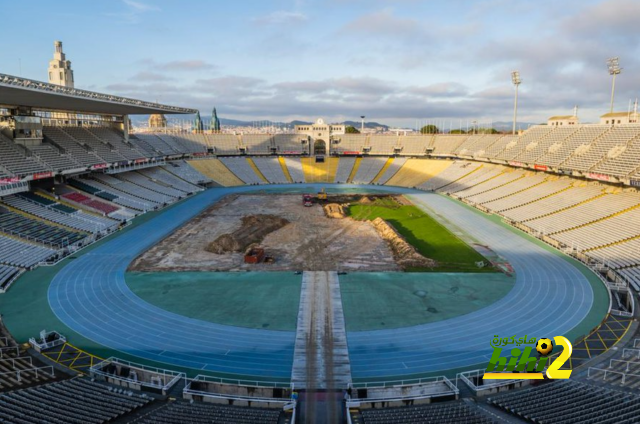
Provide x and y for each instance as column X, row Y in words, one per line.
column 267, row 300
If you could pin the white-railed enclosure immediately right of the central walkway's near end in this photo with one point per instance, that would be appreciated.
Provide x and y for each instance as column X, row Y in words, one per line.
column 385, row 394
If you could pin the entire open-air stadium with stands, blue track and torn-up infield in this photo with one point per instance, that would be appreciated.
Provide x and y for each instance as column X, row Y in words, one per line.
column 183, row 274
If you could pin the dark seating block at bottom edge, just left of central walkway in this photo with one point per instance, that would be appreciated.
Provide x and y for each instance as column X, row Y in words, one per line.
column 199, row 412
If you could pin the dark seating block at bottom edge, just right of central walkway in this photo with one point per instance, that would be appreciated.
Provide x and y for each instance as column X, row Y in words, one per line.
column 445, row 413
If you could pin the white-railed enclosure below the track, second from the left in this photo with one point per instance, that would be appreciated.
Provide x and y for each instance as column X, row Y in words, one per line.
column 136, row 376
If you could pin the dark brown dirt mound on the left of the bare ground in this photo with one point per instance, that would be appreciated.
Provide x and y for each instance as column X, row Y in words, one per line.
column 253, row 230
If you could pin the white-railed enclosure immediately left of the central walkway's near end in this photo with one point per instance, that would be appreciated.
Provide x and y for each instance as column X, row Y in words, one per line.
column 206, row 389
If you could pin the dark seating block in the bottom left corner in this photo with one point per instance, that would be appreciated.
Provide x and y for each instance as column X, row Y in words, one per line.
column 72, row 401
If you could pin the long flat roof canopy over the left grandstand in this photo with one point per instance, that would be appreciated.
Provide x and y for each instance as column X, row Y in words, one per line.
column 16, row 91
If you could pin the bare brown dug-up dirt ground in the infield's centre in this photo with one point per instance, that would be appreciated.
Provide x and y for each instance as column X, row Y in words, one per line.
column 310, row 241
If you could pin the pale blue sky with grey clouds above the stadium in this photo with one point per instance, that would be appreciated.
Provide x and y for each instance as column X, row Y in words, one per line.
column 399, row 62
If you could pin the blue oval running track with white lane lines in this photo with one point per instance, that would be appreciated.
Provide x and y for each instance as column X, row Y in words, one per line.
column 90, row 296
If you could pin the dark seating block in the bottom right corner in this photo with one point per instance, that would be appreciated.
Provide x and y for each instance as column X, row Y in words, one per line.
column 571, row 402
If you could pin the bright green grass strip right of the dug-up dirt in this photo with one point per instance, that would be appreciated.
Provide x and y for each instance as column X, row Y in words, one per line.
column 424, row 233
